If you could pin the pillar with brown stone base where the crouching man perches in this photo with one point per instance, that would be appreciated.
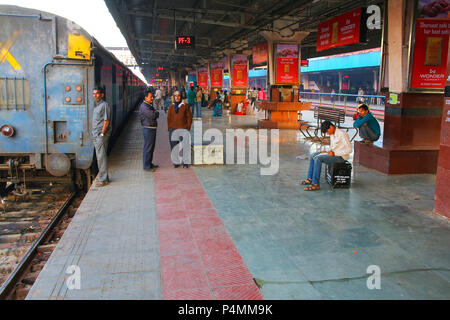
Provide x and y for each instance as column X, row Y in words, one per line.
column 412, row 126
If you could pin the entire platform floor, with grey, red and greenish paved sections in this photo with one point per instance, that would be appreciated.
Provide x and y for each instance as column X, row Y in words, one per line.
column 226, row 232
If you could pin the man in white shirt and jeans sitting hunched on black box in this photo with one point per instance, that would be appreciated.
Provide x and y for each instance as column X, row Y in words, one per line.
column 340, row 149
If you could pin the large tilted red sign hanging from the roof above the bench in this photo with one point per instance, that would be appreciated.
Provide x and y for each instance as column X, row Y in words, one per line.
column 339, row 31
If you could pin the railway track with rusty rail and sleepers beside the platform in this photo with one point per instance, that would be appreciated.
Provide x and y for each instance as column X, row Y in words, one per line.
column 36, row 231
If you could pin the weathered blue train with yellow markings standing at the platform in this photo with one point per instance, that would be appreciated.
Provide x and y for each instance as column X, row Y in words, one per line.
column 49, row 66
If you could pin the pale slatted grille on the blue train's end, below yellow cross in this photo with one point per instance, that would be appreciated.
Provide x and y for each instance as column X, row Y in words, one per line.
column 14, row 93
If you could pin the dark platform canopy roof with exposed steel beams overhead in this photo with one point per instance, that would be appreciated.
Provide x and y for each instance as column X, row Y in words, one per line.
column 150, row 27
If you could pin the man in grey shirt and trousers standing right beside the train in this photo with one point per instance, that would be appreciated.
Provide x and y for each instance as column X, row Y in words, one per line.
column 101, row 132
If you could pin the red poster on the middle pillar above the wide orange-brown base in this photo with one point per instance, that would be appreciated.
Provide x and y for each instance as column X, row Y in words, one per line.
column 287, row 63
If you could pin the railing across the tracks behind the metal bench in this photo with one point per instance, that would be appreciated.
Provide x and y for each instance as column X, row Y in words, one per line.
column 343, row 100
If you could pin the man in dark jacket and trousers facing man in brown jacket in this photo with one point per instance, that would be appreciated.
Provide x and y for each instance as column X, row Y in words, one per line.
column 149, row 123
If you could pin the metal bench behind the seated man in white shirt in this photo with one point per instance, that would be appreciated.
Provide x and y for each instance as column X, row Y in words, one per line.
column 335, row 116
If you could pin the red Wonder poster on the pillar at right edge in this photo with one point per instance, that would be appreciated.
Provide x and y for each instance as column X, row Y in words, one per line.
column 430, row 53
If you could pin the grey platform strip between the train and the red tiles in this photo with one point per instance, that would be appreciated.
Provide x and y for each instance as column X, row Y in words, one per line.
column 113, row 237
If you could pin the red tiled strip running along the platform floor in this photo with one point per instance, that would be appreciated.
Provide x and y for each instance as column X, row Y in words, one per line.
column 198, row 257
